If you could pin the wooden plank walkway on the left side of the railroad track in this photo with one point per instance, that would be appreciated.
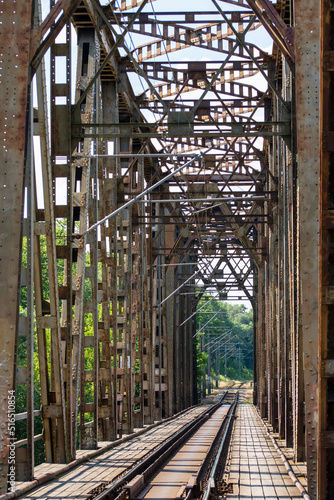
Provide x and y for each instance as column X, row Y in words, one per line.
column 79, row 482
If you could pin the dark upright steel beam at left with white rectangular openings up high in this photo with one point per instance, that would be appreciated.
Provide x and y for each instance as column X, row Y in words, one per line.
column 61, row 168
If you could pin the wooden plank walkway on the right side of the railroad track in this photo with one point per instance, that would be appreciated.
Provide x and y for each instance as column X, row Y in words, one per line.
column 256, row 469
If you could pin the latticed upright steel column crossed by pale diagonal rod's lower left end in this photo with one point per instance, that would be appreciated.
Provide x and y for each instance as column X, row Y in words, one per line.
column 84, row 176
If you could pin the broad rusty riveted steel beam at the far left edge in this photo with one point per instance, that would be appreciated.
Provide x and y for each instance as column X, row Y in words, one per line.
column 16, row 28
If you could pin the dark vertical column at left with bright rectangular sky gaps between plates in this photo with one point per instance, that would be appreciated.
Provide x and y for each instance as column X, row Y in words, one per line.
column 61, row 150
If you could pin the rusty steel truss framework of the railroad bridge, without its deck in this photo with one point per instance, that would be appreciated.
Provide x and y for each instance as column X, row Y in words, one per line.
column 152, row 155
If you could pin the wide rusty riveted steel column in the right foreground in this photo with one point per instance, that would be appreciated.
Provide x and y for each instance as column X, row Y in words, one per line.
column 307, row 37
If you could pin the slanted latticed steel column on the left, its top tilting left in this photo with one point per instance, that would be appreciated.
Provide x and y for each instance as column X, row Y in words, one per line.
column 47, row 308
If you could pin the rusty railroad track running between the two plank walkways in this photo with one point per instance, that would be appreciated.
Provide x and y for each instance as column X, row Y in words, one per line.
column 186, row 466
